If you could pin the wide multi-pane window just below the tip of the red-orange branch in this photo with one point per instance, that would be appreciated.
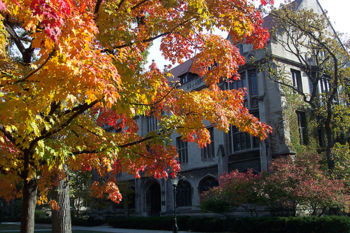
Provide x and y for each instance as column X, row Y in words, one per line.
column 237, row 141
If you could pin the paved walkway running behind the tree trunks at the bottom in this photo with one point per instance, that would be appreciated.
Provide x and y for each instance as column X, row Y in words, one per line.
column 96, row 229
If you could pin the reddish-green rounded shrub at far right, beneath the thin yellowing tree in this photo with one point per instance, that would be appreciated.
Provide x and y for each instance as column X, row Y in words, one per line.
column 302, row 183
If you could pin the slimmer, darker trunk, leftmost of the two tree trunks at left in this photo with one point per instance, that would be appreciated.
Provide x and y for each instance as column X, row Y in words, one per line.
column 28, row 207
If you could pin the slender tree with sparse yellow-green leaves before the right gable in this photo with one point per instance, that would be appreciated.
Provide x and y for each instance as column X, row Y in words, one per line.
column 311, row 40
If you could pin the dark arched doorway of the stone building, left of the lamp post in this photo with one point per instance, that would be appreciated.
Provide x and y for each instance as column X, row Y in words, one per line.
column 153, row 199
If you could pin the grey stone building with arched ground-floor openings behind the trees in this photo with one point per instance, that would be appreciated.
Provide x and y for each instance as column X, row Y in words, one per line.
column 200, row 168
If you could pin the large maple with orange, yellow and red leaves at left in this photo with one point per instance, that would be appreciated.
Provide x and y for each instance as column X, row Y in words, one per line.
column 80, row 69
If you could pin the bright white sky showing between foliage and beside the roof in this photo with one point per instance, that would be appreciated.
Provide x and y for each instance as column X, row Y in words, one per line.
column 338, row 12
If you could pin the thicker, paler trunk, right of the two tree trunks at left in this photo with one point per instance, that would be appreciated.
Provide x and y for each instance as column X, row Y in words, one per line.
column 61, row 219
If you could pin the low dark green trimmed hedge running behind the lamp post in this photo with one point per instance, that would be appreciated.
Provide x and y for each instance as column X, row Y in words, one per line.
column 326, row 224
